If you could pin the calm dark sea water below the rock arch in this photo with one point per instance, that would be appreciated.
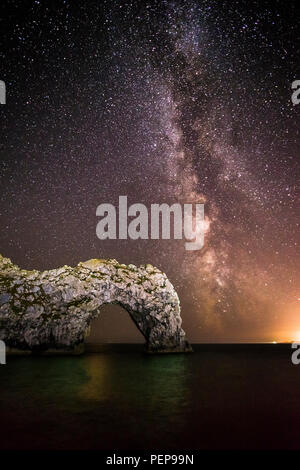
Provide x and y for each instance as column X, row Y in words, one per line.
column 215, row 398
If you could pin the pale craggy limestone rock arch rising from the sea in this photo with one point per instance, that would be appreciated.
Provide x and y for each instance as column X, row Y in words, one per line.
column 52, row 310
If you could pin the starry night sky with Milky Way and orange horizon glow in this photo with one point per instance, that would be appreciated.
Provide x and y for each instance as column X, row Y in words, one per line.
column 162, row 101
